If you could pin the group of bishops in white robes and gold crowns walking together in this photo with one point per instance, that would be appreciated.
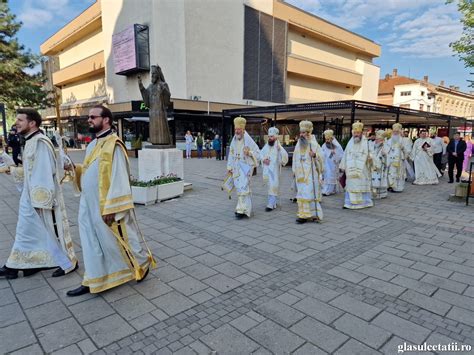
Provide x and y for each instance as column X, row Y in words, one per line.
column 365, row 169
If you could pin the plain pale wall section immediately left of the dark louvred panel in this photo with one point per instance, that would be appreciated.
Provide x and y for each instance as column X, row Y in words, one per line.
column 215, row 50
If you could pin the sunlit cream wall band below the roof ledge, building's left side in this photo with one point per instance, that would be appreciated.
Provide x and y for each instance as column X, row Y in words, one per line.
column 88, row 46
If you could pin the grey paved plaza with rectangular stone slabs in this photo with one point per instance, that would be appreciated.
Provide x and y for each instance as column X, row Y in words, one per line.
column 362, row 282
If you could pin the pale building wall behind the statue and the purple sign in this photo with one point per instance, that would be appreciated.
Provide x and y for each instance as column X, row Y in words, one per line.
column 167, row 43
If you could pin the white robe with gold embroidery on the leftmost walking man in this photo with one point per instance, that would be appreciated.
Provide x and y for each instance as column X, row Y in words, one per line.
column 42, row 236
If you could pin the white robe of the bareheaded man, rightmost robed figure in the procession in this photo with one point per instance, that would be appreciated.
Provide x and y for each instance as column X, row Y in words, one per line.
column 426, row 172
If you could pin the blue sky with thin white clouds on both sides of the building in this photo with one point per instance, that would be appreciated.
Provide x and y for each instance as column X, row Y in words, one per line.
column 414, row 34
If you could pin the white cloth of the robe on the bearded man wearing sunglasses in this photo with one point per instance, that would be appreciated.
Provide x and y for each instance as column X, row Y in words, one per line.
column 106, row 262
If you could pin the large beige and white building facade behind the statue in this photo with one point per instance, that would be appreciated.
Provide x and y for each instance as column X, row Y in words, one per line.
column 214, row 55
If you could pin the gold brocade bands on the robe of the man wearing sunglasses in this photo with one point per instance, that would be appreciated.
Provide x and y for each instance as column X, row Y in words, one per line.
column 104, row 151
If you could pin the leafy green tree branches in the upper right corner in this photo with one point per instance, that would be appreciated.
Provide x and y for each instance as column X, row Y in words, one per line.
column 464, row 46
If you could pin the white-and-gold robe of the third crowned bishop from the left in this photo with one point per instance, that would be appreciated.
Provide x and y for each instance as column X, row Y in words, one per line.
column 308, row 172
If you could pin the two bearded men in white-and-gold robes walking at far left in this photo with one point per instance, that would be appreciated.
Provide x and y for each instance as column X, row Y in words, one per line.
column 110, row 238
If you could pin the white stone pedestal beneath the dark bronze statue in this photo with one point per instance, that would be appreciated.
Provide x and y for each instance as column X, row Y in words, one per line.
column 156, row 161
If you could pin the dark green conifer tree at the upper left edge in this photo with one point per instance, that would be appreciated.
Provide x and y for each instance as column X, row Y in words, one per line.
column 18, row 86
